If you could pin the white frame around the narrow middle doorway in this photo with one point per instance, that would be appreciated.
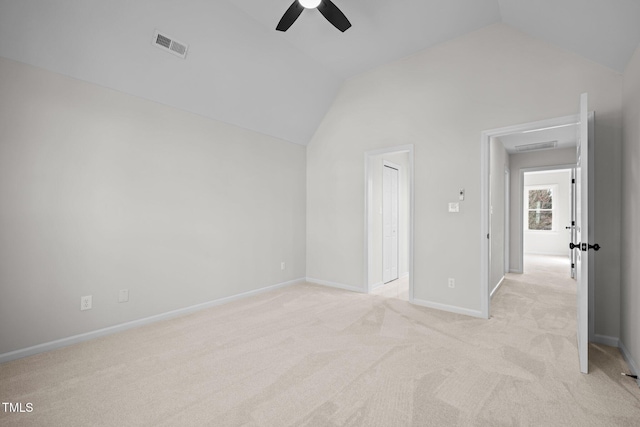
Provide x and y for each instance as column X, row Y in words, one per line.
column 368, row 210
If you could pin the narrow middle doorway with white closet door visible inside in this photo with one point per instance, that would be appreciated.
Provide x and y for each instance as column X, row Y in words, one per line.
column 388, row 264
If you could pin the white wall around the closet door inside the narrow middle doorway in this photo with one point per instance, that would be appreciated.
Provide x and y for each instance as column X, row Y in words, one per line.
column 376, row 267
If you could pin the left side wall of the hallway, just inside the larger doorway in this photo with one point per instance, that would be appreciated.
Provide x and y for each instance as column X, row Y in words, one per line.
column 499, row 160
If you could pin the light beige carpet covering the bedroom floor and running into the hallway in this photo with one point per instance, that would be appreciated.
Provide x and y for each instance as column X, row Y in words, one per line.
column 314, row 356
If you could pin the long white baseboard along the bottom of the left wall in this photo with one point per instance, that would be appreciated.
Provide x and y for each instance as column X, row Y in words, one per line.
column 52, row 345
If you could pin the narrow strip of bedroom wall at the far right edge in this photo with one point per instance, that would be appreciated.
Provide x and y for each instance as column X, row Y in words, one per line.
column 630, row 289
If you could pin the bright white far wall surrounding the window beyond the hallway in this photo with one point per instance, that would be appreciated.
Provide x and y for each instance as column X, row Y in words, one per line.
column 553, row 242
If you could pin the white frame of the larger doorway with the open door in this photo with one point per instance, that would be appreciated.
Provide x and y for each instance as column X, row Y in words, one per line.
column 485, row 205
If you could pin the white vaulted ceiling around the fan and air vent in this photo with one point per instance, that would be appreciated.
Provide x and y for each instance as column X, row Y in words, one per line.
column 240, row 70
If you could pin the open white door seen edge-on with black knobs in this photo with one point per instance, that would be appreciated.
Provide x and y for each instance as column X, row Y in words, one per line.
column 581, row 244
